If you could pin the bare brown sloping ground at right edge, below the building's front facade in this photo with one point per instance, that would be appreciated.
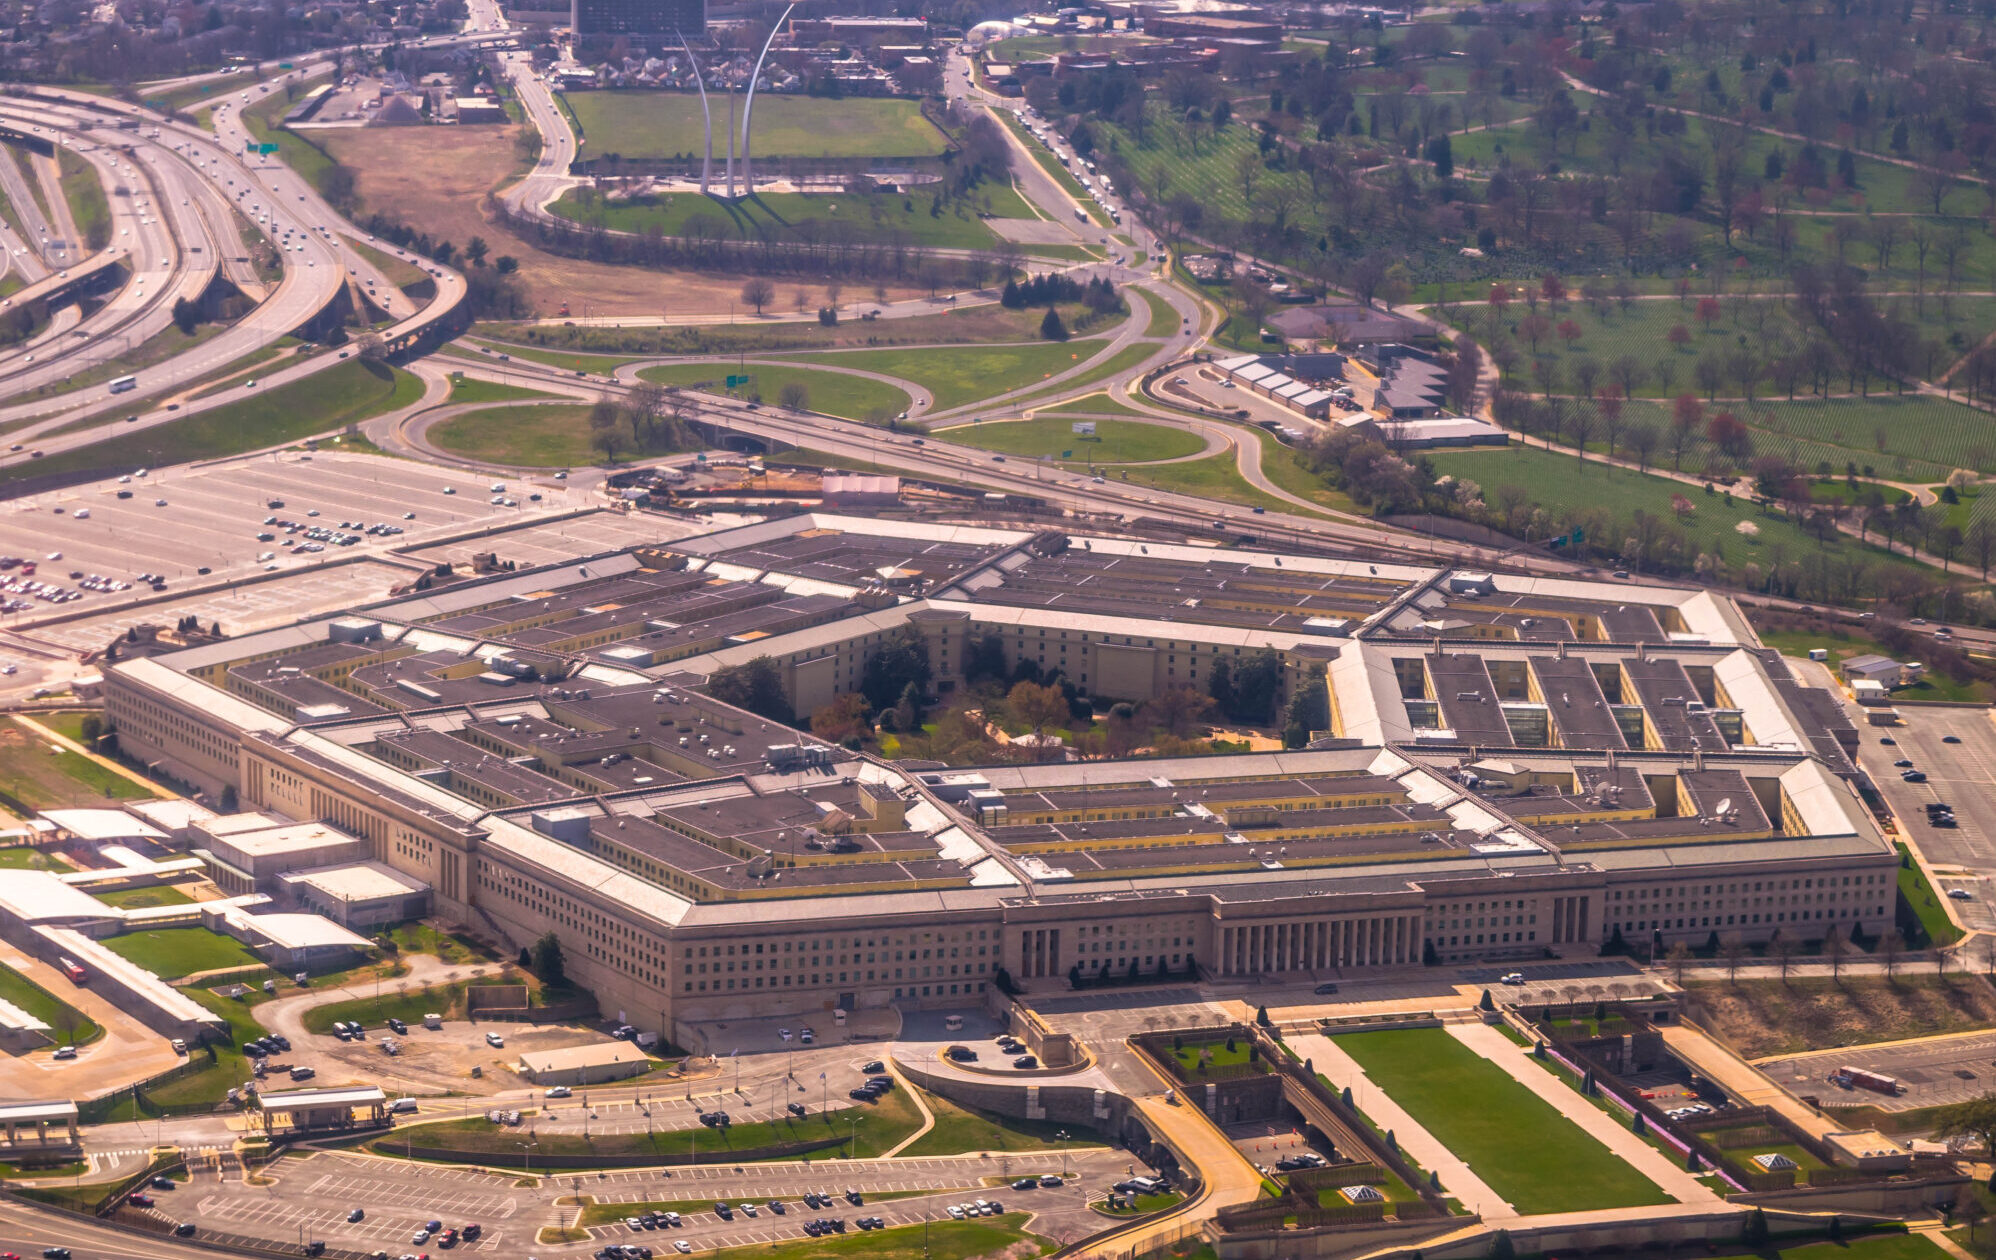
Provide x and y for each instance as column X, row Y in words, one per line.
column 1767, row 1017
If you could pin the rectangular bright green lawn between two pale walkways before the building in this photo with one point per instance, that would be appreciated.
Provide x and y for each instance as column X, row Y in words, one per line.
column 1518, row 1143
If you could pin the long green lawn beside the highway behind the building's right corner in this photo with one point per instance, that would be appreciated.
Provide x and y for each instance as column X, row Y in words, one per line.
column 1604, row 502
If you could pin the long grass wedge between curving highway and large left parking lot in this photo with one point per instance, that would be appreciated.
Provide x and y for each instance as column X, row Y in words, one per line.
column 318, row 404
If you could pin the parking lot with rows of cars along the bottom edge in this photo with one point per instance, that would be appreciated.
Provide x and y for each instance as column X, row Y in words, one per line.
column 310, row 1199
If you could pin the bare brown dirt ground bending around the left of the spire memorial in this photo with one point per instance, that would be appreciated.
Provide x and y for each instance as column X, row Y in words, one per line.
column 436, row 179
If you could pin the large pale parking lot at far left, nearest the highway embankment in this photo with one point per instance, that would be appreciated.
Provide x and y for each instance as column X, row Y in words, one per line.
column 191, row 520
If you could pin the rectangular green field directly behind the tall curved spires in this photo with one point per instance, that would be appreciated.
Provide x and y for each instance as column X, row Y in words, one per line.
column 662, row 125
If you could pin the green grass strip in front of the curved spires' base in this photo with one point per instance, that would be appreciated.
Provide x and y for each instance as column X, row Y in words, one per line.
column 915, row 219
